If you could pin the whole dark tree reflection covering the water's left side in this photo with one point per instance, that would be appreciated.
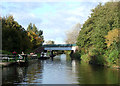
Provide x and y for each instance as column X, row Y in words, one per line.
column 27, row 74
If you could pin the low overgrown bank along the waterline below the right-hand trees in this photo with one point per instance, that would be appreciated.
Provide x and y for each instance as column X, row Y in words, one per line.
column 95, row 60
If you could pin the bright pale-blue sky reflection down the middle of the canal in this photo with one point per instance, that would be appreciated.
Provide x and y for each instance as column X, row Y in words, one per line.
column 57, row 72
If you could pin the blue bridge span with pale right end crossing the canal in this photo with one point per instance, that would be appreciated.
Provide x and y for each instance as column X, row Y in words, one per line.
column 52, row 47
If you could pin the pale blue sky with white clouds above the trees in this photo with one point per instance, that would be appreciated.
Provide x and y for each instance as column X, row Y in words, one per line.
column 54, row 17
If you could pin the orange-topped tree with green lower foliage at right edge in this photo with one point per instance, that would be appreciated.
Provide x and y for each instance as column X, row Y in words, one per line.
column 113, row 46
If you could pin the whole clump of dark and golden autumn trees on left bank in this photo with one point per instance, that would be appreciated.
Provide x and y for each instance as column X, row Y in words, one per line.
column 16, row 38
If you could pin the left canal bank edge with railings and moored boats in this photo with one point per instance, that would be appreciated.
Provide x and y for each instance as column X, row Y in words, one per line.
column 20, row 59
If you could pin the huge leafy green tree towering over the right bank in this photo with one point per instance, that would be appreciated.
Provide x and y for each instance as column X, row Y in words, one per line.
column 103, row 19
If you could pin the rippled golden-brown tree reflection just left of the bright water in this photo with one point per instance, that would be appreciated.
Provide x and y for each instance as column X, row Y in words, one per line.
column 34, row 73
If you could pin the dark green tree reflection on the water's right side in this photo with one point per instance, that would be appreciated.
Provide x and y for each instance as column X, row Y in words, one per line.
column 89, row 74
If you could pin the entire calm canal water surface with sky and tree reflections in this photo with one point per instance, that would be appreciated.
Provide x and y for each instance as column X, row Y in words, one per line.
column 59, row 71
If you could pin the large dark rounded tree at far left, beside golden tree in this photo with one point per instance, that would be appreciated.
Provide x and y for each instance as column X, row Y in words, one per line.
column 14, row 36
